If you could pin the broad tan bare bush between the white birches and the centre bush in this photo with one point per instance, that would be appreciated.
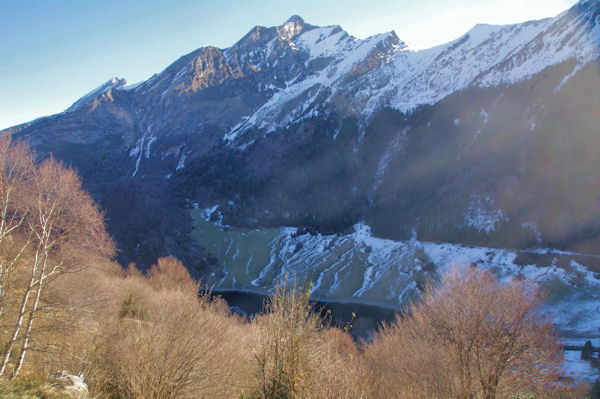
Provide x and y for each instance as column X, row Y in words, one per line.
column 165, row 342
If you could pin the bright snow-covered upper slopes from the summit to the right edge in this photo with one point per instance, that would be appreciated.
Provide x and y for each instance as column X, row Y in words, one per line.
column 381, row 71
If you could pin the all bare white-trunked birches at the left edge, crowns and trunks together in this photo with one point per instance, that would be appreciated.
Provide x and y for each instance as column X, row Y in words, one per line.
column 48, row 225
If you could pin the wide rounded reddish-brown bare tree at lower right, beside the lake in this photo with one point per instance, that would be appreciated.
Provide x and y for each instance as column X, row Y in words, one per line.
column 469, row 337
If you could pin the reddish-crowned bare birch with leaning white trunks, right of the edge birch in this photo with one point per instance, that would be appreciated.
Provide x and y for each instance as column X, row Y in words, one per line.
column 61, row 231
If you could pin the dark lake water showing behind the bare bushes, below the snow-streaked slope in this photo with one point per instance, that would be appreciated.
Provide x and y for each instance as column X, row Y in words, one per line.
column 367, row 318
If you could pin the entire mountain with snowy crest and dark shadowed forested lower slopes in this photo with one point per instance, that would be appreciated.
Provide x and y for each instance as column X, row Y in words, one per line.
column 487, row 139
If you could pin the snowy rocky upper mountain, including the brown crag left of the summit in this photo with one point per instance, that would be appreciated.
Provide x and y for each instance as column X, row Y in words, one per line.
column 306, row 71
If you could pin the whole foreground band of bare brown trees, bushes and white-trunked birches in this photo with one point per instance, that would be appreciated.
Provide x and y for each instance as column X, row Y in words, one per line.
column 70, row 314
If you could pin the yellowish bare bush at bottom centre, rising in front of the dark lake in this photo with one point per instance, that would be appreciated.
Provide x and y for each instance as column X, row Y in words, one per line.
column 297, row 356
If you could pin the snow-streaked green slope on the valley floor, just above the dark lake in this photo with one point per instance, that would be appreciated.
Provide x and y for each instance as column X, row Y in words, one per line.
column 368, row 268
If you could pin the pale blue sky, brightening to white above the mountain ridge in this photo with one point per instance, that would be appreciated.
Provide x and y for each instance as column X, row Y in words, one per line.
column 55, row 51
